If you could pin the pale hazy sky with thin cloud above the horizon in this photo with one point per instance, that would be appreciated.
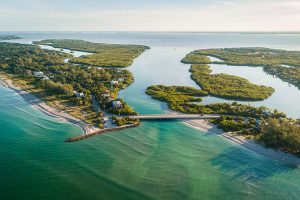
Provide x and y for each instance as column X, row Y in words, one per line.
column 150, row 15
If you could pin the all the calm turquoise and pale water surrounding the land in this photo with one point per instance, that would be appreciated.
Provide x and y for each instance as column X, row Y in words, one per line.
column 158, row 160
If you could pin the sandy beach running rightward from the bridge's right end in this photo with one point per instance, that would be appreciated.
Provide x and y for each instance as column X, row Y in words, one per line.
column 206, row 126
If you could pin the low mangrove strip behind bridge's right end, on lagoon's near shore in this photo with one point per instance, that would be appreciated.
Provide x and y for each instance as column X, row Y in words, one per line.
column 185, row 100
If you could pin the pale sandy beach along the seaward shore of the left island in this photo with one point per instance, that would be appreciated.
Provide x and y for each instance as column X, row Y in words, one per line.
column 50, row 111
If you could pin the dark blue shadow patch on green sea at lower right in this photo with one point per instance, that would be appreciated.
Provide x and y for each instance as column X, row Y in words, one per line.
column 241, row 164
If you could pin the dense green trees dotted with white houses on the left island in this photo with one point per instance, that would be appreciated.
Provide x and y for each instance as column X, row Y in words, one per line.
column 63, row 85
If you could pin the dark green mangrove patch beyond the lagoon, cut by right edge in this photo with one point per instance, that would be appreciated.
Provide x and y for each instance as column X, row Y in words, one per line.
column 287, row 74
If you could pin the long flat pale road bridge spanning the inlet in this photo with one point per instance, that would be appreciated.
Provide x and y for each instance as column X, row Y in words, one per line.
column 174, row 116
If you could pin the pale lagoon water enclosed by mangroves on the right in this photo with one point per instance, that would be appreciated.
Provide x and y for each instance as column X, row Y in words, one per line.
column 285, row 98
